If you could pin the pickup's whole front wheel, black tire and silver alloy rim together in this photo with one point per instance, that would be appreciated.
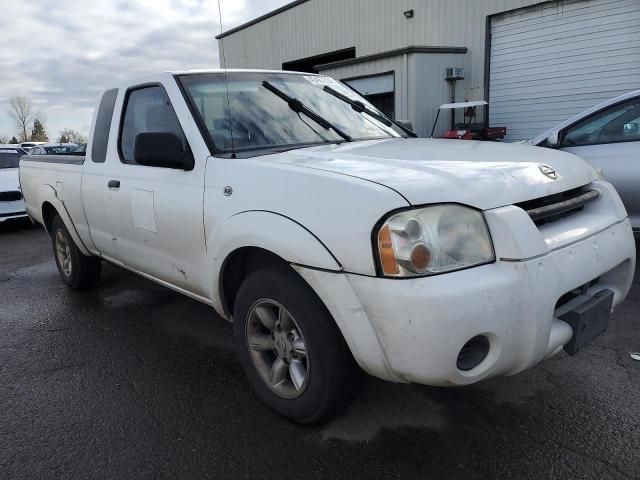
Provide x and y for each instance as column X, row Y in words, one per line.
column 291, row 350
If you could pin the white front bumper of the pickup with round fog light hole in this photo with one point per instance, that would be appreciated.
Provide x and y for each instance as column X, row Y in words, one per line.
column 412, row 330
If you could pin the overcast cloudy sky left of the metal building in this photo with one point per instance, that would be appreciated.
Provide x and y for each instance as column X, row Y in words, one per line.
column 63, row 53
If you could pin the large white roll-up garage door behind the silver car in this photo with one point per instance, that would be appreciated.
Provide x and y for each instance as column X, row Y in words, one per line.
column 554, row 60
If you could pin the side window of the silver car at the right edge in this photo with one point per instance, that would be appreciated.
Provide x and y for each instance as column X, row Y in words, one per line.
column 619, row 123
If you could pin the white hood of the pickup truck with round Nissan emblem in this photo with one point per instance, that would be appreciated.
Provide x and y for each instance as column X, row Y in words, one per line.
column 480, row 174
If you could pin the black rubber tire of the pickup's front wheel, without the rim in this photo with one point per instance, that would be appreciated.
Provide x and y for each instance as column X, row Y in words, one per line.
column 333, row 377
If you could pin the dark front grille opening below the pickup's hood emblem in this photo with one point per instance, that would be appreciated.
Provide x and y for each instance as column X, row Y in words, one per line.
column 554, row 207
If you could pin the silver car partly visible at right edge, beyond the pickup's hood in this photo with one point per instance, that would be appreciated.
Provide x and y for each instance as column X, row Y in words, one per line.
column 608, row 137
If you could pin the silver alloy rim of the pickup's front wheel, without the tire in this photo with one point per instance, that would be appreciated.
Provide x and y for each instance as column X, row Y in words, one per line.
column 277, row 348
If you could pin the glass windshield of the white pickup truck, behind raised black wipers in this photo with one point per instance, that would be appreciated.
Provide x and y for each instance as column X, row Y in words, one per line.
column 260, row 119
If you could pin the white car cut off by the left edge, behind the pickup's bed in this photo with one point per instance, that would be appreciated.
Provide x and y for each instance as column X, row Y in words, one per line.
column 11, row 201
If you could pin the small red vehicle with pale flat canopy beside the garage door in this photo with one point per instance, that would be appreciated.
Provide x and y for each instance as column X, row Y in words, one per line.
column 469, row 129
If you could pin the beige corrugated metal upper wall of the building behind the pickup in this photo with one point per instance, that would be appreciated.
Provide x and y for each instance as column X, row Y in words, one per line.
column 372, row 26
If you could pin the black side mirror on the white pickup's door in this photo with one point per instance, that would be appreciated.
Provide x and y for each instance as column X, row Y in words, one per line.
column 161, row 149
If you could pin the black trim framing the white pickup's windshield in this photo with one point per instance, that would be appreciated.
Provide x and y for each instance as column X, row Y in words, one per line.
column 232, row 153
